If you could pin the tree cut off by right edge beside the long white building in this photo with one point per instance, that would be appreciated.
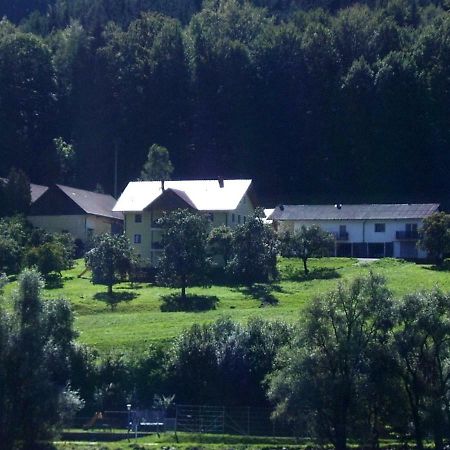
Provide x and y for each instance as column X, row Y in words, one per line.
column 435, row 236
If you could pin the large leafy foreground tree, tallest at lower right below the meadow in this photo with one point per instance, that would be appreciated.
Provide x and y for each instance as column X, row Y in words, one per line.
column 323, row 376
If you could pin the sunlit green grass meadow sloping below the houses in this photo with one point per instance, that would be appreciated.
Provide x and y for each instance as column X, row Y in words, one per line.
column 138, row 320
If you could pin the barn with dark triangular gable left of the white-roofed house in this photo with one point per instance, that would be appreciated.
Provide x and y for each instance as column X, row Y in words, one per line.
column 66, row 209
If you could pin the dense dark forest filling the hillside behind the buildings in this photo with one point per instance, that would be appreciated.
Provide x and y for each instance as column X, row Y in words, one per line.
column 316, row 100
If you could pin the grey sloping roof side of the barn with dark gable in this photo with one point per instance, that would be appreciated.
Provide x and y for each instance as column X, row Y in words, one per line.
column 92, row 202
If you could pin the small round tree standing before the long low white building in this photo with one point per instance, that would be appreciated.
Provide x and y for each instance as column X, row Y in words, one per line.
column 308, row 242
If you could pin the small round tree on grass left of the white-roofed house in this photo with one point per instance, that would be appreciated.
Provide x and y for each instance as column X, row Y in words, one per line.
column 110, row 260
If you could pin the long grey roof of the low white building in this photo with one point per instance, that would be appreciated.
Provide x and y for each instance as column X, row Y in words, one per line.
column 354, row 212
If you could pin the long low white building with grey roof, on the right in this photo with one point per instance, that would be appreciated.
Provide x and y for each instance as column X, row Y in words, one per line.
column 362, row 230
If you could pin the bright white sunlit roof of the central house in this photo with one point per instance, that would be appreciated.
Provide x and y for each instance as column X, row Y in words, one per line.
column 203, row 195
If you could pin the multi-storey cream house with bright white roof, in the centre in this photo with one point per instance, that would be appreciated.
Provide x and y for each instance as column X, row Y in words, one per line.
column 224, row 202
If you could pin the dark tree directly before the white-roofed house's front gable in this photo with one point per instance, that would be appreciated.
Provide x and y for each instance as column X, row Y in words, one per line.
column 184, row 259
